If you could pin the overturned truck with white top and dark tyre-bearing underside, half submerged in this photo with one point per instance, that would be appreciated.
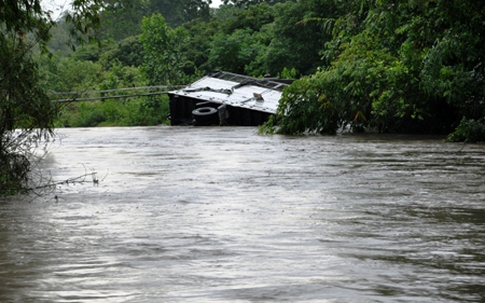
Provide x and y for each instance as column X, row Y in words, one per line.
column 223, row 98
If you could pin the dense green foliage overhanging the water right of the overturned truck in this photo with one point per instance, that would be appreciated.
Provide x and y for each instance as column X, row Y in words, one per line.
column 396, row 66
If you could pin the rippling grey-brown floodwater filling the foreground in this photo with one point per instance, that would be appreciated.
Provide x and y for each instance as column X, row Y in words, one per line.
column 185, row 214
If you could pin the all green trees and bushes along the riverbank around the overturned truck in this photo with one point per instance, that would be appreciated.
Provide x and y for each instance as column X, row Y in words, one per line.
column 414, row 66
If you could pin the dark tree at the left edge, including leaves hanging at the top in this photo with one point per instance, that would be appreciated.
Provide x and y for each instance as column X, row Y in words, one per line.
column 26, row 113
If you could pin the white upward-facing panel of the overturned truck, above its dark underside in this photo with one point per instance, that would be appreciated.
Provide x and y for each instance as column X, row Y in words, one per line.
column 236, row 90
